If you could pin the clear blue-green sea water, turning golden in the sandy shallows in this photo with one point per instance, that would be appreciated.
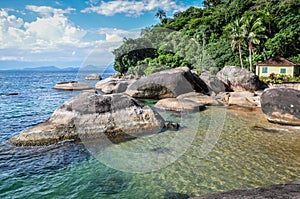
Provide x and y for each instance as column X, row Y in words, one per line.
column 242, row 157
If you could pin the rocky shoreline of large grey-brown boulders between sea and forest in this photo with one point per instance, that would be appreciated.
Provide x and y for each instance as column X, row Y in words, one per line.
column 119, row 111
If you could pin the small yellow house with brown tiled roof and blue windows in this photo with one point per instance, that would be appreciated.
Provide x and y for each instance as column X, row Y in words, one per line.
column 277, row 65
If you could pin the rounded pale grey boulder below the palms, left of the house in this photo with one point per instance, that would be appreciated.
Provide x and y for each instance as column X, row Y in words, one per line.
column 238, row 79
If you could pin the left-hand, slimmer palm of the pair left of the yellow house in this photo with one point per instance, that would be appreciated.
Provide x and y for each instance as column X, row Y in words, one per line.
column 236, row 33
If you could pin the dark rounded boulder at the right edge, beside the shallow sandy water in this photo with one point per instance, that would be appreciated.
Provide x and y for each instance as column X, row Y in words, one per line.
column 281, row 105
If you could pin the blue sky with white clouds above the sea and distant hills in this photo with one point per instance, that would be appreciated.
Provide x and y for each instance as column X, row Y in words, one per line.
column 74, row 33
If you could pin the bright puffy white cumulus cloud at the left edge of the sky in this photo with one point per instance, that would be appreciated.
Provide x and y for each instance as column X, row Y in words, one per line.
column 48, row 31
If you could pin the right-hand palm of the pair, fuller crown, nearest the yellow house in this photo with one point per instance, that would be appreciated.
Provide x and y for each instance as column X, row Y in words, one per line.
column 254, row 30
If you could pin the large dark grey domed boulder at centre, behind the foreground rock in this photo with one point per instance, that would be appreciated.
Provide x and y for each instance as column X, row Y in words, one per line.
column 167, row 84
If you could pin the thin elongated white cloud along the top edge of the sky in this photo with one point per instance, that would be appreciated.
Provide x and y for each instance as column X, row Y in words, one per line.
column 132, row 8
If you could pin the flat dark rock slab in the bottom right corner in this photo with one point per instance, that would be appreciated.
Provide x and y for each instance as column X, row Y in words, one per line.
column 288, row 190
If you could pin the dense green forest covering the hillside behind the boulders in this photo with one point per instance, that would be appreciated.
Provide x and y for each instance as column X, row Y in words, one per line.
column 223, row 32
